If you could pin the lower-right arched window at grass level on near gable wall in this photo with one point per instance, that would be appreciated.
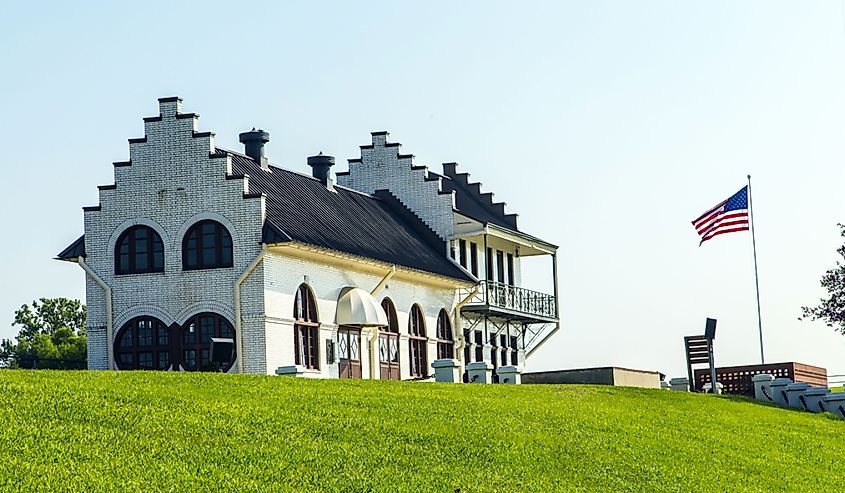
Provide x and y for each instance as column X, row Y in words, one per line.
column 196, row 342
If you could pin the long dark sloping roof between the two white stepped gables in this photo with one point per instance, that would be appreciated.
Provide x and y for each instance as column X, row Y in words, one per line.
column 300, row 208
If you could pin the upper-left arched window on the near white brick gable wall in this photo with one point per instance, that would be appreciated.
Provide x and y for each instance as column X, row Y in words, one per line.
column 138, row 250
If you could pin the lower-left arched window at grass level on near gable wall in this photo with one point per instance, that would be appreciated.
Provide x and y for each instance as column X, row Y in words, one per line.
column 143, row 343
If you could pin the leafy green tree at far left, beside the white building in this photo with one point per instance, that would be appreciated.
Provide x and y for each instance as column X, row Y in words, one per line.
column 51, row 335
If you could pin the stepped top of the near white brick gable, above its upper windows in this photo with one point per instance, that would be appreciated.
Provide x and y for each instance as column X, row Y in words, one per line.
column 175, row 168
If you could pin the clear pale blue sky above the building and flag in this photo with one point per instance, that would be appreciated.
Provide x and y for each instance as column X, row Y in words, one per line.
column 608, row 126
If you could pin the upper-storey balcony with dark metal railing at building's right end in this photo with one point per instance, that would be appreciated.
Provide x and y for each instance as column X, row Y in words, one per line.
column 513, row 302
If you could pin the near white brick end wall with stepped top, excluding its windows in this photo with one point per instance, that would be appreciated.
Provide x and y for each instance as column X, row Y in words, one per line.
column 171, row 184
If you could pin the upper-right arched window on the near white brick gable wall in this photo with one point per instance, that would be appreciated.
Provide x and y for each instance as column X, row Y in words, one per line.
column 207, row 245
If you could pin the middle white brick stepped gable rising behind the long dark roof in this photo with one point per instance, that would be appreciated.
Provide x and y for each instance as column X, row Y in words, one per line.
column 382, row 166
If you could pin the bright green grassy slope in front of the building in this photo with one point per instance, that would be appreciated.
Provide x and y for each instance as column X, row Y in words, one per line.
column 133, row 431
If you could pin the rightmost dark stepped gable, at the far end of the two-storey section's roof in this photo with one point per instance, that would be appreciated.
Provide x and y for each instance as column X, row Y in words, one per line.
column 472, row 202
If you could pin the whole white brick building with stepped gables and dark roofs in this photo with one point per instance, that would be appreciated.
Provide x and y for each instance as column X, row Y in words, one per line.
column 376, row 278
